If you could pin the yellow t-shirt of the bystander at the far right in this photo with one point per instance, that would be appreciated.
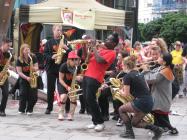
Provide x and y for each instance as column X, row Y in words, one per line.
column 177, row 57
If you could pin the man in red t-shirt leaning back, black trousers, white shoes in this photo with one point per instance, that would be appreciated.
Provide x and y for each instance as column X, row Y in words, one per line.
column 99, row 62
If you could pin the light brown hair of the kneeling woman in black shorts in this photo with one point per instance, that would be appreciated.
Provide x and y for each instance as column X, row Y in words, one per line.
column 130, row 61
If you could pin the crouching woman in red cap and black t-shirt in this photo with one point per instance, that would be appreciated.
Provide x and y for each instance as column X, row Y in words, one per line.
column 67, row 75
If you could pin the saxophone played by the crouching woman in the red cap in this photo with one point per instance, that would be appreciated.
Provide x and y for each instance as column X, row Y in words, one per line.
column 74, row 87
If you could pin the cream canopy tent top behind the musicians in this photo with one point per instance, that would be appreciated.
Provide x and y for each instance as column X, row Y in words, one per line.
column 51, row 12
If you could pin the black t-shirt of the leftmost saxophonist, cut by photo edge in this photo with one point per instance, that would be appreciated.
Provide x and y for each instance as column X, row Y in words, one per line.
column 3, row 59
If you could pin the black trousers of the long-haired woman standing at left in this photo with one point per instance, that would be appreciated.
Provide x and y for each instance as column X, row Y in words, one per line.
column 28, row 96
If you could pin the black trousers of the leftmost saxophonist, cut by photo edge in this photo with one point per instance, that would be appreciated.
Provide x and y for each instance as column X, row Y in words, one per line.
column 4, row 99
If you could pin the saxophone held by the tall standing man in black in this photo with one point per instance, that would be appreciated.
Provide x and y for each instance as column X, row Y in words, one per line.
column 60, row 51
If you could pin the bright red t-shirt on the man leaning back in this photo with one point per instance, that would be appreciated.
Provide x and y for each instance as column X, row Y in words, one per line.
column 97, row 70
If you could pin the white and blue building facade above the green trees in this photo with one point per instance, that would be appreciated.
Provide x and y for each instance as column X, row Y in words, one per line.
column 152, row 9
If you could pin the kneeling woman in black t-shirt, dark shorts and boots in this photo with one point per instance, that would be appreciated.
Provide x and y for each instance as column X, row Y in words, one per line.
column 135, row 86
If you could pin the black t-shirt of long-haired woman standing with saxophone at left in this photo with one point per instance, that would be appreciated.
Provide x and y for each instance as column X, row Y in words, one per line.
column 26, row 66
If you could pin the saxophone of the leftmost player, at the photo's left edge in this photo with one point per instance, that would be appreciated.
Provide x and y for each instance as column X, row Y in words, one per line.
column 5, row 74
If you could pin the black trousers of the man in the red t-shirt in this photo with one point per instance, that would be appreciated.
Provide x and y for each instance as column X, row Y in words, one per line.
column 90, row 87
